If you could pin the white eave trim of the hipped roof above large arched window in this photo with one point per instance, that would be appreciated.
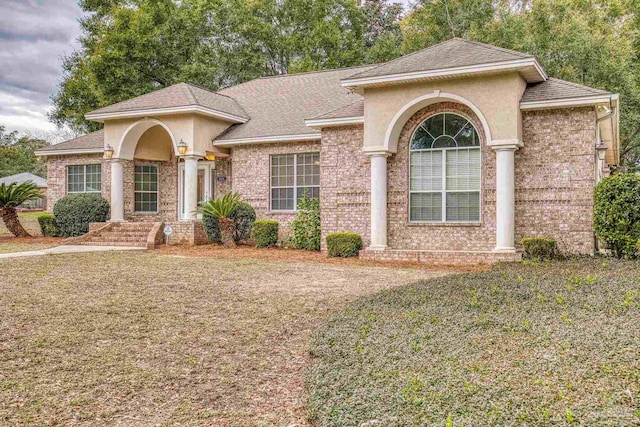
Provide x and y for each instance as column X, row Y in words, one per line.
column 480, row 69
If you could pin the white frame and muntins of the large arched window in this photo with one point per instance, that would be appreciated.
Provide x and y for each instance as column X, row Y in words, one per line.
column 443, row 191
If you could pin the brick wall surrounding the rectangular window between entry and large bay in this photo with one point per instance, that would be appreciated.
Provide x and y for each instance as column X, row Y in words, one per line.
column 251, row 174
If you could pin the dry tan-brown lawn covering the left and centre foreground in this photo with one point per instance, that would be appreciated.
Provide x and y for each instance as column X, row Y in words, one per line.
column 142, row 338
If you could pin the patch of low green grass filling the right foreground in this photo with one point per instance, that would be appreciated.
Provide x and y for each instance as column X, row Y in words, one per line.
column 553, row 344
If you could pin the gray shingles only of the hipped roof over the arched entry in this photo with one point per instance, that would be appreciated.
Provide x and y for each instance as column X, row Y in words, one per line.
column 178, row 95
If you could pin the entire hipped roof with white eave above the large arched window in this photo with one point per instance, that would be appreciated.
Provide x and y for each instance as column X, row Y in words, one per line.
column 455, row 57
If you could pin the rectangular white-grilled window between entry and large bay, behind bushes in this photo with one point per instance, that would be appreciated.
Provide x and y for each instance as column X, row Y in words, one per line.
column 291, row 175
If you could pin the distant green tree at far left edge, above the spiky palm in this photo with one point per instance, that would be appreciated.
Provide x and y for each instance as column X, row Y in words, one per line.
column 17, row 154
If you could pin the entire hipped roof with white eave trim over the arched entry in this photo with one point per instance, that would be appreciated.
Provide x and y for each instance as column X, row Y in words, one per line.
column 181, row 97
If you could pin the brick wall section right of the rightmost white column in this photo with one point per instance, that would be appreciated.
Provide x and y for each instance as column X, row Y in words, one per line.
column 555, row 178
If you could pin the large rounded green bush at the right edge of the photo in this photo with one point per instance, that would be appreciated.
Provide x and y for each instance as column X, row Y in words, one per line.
column 617, row 213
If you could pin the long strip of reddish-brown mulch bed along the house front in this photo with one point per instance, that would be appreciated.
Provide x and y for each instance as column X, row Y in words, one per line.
column 297, row 255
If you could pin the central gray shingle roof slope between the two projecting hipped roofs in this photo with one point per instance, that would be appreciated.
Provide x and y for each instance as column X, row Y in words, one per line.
column 279, row 105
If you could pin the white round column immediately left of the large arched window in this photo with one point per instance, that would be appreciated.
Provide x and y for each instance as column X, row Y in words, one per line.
column 378, row 201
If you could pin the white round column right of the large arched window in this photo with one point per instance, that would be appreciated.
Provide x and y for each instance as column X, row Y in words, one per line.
column 505, row 197
